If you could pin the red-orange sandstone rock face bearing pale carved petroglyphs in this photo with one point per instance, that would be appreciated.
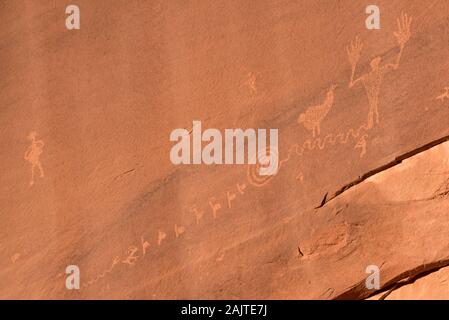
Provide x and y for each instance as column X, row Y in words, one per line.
column 90, row 112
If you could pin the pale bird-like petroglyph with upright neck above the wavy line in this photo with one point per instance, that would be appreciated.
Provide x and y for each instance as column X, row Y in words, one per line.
column 312, row 117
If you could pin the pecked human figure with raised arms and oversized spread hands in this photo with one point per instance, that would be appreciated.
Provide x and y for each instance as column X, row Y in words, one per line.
column 372, row 81
